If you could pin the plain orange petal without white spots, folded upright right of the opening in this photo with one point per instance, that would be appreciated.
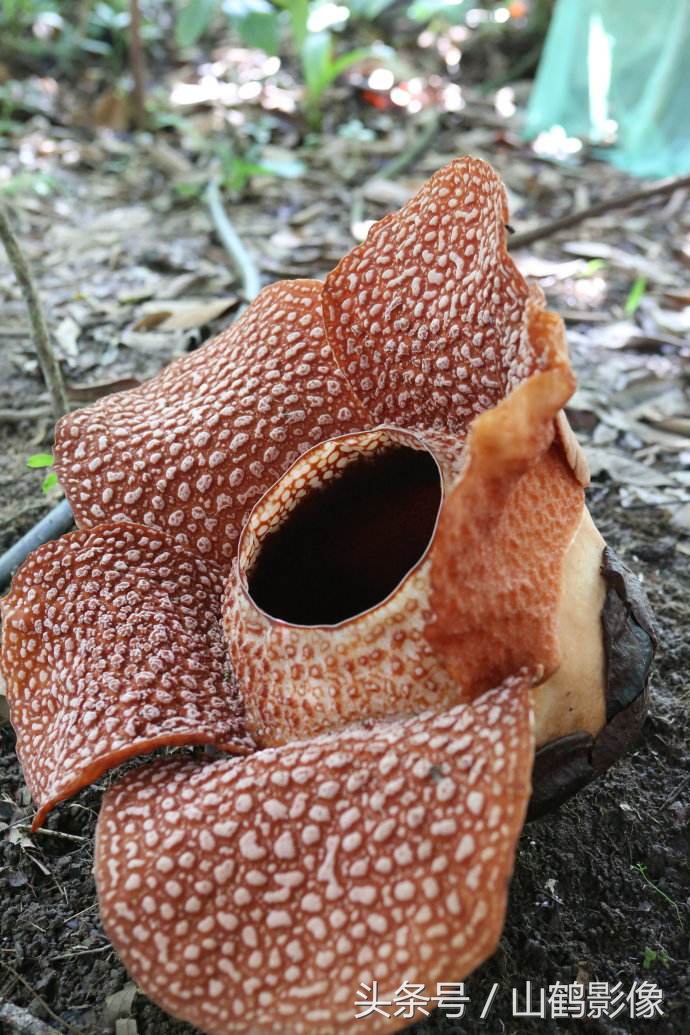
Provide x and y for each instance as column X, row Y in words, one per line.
column 498, row 570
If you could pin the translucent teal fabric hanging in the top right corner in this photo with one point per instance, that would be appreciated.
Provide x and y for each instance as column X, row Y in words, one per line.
column 619, row 69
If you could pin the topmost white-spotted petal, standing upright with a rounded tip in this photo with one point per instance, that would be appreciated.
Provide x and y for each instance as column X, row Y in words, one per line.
column 428, row 316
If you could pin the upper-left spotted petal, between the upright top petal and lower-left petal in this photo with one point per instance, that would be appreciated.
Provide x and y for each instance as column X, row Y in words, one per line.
column 193, row 450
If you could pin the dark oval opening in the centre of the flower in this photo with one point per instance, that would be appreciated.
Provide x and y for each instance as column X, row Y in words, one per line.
column 348, row 544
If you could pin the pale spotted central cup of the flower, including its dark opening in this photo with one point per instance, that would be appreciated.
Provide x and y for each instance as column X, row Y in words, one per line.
column 298, row 681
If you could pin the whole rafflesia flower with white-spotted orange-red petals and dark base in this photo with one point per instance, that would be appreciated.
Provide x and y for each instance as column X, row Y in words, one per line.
column 346, row 544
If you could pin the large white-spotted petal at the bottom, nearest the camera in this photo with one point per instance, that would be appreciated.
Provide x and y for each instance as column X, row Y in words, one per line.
column 255, row 896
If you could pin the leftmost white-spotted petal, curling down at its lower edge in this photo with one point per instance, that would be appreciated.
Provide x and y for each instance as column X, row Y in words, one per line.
column 112, row 647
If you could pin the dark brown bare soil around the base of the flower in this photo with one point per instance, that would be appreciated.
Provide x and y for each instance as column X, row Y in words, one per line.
column 580, row 906
